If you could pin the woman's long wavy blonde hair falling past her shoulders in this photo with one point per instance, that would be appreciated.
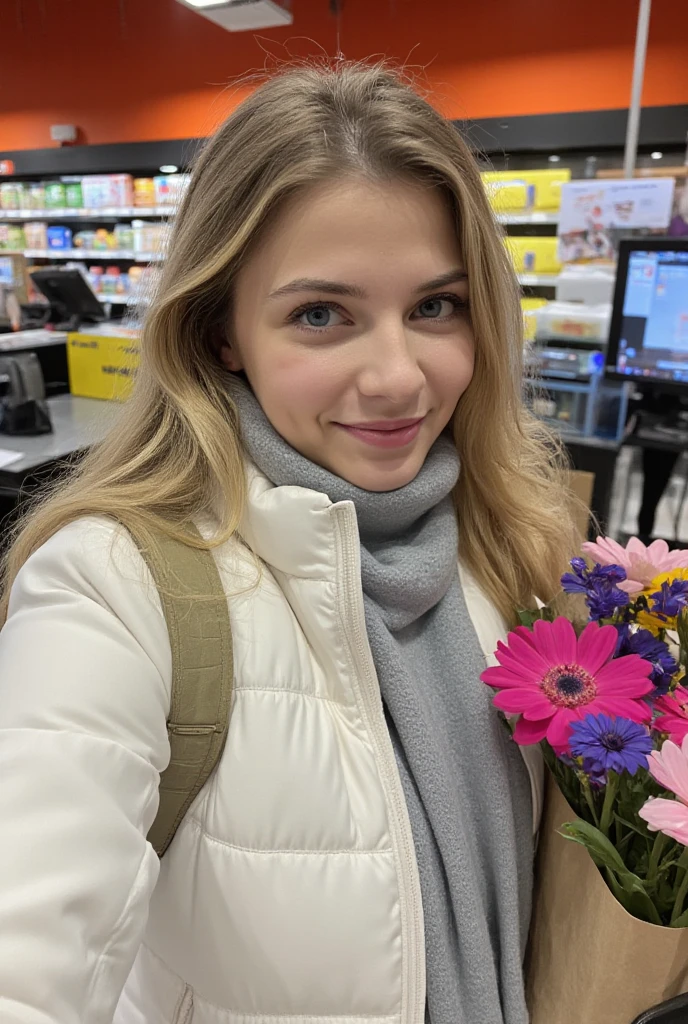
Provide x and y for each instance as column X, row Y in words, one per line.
column 179, row 447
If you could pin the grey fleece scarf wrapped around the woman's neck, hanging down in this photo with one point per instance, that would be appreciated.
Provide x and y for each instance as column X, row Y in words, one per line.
column 465, row 784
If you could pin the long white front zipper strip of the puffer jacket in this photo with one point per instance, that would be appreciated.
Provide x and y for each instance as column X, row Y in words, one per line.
column 413, row 940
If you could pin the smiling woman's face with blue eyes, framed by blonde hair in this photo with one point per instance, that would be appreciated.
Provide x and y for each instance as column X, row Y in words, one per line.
column 351, row 322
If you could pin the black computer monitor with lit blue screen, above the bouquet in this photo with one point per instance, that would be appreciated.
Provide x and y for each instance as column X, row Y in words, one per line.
column 649, row 335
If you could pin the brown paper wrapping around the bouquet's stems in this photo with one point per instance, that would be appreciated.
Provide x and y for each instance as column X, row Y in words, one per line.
column 589, row 961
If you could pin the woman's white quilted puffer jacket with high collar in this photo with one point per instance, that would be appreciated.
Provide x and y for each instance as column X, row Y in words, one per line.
column 290, row 894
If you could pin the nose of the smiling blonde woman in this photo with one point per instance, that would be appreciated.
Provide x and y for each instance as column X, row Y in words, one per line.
column 390, row 366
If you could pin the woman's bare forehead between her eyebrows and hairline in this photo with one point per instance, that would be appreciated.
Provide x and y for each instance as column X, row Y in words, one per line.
column 357, row 228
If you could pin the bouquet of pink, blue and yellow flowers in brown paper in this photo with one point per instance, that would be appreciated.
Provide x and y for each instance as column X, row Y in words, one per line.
column 601, row 692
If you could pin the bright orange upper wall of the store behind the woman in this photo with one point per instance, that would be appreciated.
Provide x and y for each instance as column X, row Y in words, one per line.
column 131, row 70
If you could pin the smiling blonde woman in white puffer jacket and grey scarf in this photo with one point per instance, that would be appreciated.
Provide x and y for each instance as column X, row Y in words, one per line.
column 338, row 291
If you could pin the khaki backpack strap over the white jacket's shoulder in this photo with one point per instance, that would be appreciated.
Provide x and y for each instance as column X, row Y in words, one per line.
column 198, row 621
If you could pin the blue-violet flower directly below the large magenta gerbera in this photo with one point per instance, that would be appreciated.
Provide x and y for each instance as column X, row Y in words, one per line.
column 609, row 744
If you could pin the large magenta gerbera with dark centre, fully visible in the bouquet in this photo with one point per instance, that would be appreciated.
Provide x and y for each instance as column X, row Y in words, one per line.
column 552, row 679
